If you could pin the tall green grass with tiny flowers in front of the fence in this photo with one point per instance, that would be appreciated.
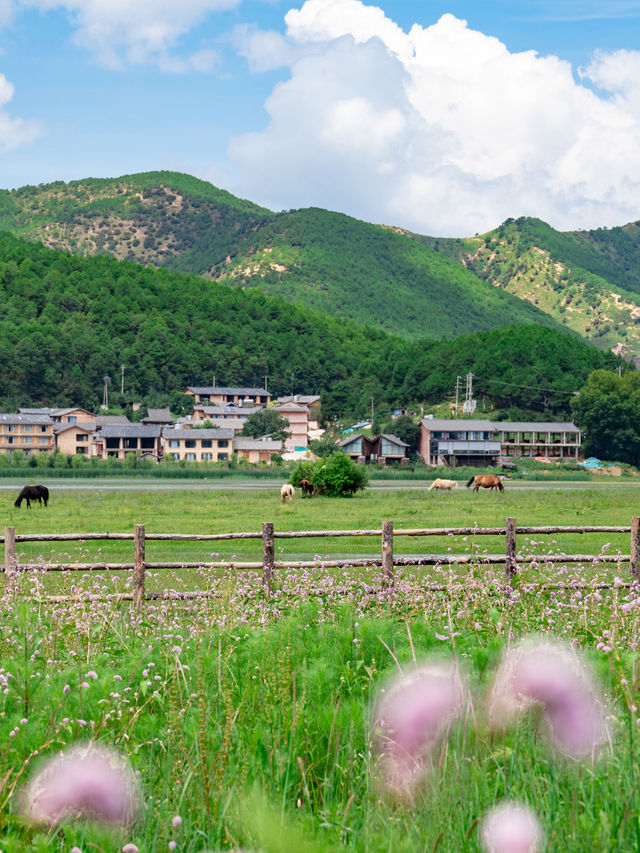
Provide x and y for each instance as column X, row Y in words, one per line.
column 249, row 718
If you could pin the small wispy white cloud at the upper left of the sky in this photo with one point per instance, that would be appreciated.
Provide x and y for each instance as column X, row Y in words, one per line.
column 120, row 31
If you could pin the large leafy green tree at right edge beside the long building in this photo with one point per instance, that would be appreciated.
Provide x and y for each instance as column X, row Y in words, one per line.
column 608, row 410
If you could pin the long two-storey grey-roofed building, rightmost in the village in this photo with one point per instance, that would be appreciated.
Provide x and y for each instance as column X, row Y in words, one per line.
column 482, row 442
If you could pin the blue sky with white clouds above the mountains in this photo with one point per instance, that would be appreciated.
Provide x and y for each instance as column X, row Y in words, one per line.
column 442, row 117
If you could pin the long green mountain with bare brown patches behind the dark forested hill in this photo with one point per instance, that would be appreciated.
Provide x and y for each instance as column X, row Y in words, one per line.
column 326, row 261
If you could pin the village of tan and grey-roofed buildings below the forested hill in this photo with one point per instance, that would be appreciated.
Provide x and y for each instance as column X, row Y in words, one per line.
column 212, row 432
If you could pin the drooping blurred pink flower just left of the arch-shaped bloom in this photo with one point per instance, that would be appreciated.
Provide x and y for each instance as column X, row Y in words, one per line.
column 412, row 715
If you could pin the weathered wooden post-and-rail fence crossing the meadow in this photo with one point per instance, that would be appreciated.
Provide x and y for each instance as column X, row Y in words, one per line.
column 387, row 561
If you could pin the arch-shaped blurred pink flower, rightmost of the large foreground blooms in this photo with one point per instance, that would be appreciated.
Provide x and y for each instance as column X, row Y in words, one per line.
column 554, row 677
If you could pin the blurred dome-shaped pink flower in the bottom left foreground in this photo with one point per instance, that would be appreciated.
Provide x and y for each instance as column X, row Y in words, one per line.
column 87, row 781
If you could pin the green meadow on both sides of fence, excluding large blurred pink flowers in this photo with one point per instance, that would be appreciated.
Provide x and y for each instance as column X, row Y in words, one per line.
column 248, row 715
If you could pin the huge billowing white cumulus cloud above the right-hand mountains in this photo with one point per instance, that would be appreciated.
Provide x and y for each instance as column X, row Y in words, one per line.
column 440, row 129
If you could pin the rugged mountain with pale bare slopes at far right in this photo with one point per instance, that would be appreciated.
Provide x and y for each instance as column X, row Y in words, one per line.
column 587, row 280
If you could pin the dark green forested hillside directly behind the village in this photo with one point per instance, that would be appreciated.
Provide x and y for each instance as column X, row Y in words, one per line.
column 68, row 321
